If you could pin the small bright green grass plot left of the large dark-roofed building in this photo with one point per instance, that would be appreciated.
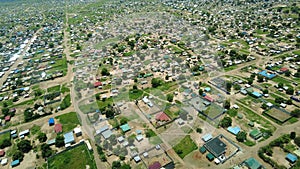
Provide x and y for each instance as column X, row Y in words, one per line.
column 185, row 146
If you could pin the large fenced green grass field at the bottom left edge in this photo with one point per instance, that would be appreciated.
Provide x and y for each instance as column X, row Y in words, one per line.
column 78, row 157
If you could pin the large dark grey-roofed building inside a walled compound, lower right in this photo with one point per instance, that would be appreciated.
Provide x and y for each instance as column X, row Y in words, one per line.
column 216, row 147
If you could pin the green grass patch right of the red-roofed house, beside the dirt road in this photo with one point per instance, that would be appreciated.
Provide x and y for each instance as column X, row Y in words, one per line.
column 69, row 121
